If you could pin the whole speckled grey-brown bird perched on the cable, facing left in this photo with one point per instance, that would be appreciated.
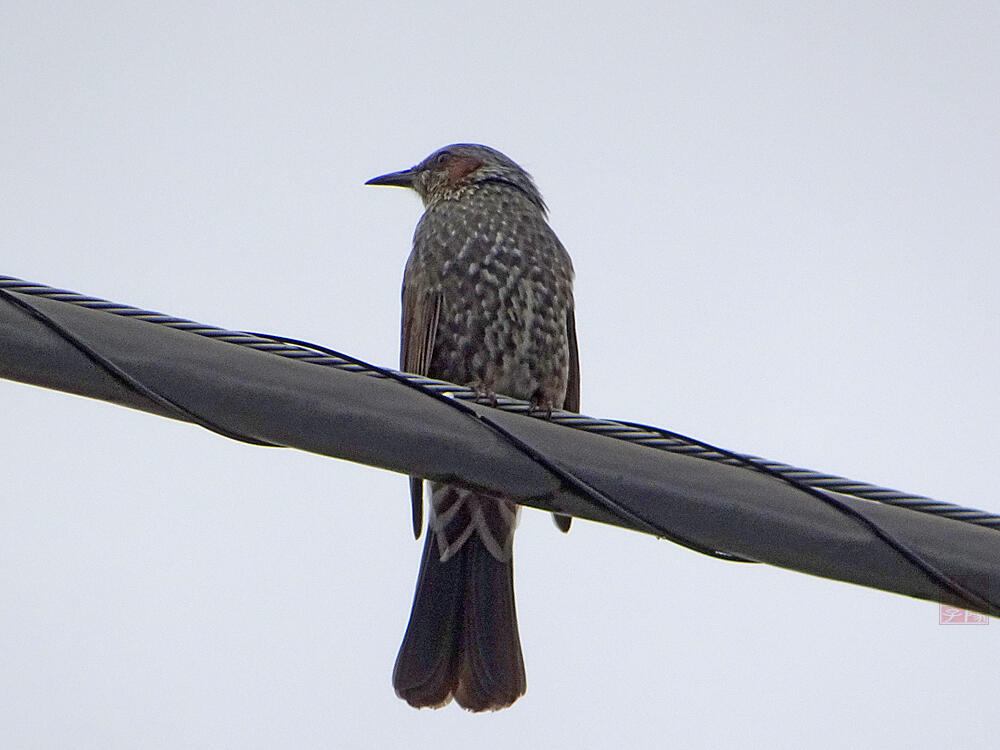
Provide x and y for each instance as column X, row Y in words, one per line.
column 487, row 302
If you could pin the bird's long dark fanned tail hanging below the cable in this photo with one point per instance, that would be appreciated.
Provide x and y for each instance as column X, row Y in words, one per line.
column 462, row 640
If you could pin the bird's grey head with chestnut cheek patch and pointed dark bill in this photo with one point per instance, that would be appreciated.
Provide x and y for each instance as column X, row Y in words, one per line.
column 455, row 171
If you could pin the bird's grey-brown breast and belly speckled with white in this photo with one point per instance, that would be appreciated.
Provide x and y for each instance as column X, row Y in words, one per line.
column 506, row 285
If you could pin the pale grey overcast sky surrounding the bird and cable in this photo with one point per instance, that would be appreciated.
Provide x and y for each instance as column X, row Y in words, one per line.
column 784, row 220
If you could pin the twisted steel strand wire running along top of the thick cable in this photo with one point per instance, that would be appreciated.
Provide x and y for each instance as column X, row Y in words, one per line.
column 645, row 435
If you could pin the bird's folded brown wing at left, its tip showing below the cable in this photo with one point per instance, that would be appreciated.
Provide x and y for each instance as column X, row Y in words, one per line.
column 421, row 309
